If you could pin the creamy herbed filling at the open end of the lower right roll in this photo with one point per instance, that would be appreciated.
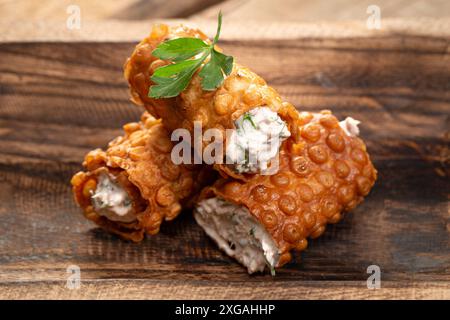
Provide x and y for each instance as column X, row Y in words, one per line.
column 238, row 233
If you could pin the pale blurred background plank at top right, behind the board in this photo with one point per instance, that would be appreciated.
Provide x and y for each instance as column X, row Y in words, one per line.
column 325, row 10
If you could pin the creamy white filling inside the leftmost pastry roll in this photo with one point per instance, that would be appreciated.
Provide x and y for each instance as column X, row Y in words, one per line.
column 111, row 200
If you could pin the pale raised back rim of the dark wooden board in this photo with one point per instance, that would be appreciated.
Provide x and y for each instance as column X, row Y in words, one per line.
column 119, row 31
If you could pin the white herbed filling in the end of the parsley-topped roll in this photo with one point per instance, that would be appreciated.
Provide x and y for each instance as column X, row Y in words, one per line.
column 256, row 140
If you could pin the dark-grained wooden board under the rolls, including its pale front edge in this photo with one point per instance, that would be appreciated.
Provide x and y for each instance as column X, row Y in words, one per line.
column 59, row 100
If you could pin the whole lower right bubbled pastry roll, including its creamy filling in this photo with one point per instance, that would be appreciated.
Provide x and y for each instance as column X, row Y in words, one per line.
column 324, row 171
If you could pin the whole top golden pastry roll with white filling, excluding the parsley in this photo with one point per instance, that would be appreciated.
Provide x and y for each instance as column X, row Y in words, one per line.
column 242, row 96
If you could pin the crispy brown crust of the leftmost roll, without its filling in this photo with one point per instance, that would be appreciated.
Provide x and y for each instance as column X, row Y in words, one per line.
column 140, row 162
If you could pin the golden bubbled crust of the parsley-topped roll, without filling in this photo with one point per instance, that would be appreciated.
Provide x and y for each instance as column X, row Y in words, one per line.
column 241, row 91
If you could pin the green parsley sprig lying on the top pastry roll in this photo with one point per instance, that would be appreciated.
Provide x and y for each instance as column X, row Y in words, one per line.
column 187, row 56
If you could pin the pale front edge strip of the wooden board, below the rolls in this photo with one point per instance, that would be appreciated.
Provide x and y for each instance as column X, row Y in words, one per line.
column 170, row 290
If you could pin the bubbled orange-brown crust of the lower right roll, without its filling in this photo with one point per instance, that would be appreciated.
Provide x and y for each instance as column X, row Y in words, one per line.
column 322, row 174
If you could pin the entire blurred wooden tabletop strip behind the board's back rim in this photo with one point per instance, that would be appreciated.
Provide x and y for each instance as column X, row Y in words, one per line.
column 260, row 10
